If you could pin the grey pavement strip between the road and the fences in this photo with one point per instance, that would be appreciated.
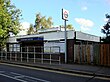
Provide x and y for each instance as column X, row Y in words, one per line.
column 90, row 70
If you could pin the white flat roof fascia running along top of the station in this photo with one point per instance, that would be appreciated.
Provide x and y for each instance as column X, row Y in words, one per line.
column 59, row 35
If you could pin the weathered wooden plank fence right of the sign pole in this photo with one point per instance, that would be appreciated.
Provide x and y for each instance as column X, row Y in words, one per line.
column 98, row 54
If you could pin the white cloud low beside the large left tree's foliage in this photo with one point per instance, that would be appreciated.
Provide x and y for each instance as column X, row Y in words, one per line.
column 24, row 27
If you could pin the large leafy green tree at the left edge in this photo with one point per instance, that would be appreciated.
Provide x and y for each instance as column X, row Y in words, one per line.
column 9, row 20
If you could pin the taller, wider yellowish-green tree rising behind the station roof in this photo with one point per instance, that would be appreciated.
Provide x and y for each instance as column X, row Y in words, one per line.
column 42, row 23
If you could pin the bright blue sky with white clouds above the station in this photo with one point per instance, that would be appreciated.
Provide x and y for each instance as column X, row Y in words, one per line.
column 85, row 15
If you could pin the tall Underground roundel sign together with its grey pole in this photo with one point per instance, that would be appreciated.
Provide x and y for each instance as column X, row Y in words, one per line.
column 65, row 14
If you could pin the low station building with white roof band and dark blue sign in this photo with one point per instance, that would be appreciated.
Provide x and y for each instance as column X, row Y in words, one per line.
column 53, row 37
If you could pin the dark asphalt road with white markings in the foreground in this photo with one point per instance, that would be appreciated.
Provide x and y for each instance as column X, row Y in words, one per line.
column 14, row 73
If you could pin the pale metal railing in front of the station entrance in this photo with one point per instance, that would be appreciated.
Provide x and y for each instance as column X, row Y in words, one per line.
column 32, row 54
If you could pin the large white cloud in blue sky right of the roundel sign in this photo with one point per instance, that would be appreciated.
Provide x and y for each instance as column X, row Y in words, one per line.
column 85, row 24
